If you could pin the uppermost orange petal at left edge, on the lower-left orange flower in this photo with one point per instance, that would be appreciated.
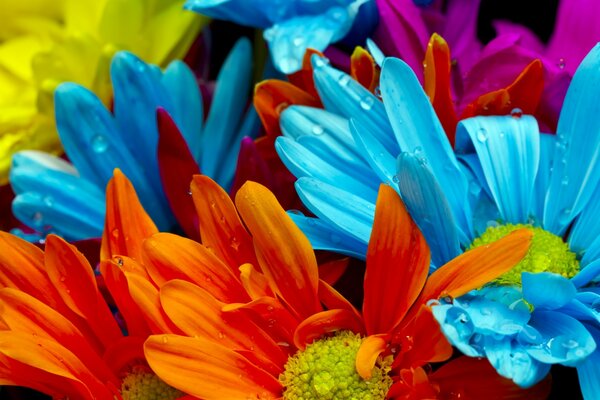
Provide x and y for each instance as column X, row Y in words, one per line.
column 22, row 267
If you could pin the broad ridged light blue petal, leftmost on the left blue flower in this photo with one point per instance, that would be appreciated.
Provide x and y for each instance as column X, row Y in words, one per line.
column 57, row 202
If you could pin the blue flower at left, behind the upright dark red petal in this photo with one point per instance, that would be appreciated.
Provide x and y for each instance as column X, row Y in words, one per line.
column 53, row 195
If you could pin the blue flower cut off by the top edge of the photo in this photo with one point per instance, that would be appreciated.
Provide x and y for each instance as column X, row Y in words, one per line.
column 292, row 26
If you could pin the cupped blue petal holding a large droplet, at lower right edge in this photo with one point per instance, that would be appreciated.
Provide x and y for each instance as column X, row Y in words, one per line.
column 564, row 339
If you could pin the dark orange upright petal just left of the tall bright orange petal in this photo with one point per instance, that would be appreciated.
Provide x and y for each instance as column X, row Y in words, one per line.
column 220, row 224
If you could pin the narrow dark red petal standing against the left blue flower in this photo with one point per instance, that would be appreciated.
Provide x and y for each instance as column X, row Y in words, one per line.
column 177, row 166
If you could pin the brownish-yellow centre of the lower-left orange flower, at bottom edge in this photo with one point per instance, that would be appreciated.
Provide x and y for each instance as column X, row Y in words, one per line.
column 143, row 384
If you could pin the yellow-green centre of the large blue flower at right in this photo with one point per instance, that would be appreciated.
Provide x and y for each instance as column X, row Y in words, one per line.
column 547, row 253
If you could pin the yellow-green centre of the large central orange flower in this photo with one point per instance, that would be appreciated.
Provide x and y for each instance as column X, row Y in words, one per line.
column 326, row 370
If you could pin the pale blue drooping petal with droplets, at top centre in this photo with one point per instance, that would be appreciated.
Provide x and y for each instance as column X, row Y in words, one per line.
column 289, row 39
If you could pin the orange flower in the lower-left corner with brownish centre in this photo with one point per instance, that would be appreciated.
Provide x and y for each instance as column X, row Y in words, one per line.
column 57, row 332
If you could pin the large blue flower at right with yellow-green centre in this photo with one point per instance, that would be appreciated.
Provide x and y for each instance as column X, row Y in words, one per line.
column 504, row 175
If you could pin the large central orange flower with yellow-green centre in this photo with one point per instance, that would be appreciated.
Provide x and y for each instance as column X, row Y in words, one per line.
column 253, row 314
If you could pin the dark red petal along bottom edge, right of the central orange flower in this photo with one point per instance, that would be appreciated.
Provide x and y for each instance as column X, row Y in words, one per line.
column 475, row 378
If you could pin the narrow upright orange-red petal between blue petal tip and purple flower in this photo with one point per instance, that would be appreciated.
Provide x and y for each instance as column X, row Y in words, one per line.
column 436, row 82
